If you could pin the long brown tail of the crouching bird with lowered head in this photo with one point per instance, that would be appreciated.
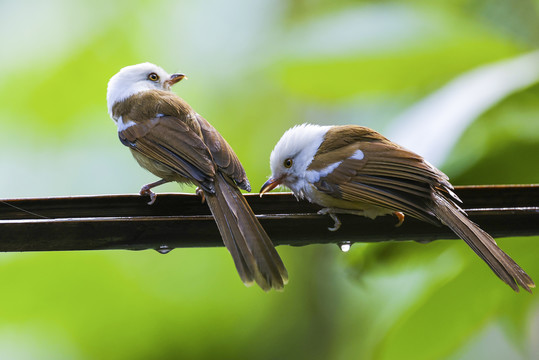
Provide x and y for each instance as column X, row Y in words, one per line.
column 482, row 244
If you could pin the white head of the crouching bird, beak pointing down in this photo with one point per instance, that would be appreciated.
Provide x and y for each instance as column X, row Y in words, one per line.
column 292, row 155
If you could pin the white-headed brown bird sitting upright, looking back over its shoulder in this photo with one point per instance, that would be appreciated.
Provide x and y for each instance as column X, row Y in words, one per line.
column 172, row 141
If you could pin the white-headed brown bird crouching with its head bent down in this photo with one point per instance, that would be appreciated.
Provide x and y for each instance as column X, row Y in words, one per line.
column 353, row 169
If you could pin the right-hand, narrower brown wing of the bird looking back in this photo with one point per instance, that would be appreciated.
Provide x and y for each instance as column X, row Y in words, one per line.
column 224, row 157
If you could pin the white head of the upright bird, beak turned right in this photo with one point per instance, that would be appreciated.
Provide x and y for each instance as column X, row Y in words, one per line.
column 136, row 78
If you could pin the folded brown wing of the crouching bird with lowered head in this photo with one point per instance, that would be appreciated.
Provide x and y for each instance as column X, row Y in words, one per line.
column 371, row 169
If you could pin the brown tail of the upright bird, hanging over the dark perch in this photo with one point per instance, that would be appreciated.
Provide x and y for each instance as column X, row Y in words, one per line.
column 253, row 252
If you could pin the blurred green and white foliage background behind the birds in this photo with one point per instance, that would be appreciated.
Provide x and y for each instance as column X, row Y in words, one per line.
column 458, row 81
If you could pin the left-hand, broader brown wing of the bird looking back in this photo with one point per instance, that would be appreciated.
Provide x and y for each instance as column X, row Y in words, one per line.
column 171, row 142
